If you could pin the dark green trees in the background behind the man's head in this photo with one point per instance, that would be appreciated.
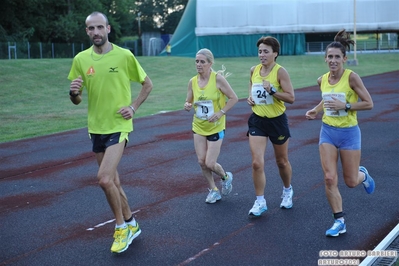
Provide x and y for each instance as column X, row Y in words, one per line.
column 63, row 21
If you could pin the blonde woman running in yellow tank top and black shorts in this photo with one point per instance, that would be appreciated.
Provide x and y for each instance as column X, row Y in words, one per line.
column 207, row 91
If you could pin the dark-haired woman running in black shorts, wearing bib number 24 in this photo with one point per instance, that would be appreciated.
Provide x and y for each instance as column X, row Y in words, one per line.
column 269, row 89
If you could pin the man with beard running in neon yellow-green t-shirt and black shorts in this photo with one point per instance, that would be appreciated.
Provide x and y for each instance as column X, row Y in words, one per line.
column 105, row 71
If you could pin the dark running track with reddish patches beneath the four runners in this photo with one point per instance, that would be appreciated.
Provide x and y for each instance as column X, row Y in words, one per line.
column 52, row 212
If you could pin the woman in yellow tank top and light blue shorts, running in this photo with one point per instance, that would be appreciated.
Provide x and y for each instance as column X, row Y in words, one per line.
column 340, row 134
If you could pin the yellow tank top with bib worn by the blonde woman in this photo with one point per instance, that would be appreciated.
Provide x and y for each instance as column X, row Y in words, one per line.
column 207, row 101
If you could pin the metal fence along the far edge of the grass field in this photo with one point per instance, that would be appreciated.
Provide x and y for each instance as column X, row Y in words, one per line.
column 26, row 50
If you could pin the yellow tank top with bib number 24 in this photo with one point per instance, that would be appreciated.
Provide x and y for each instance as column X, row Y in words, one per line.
column 265, row 104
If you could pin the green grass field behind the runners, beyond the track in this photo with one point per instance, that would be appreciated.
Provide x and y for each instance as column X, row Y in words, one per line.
column 35, row 102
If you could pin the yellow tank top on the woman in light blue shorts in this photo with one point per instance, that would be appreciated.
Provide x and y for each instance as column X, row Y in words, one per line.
column 344, row 93
